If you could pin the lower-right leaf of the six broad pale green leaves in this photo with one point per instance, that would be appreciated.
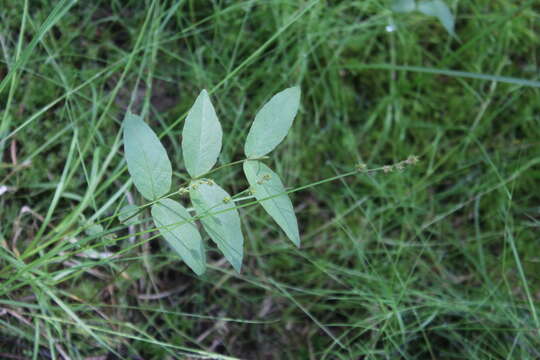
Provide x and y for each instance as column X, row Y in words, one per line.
column 269, row 190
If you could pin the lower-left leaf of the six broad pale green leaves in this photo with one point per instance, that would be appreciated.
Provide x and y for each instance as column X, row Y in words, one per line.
column 177, row 227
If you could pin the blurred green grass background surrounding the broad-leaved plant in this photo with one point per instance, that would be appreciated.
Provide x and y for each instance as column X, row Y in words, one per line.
column 439, row 261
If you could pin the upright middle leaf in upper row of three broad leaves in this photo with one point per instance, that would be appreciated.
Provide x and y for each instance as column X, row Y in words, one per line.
column 201, row 137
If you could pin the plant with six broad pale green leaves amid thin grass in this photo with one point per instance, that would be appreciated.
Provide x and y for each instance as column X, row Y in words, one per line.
column 151, row 171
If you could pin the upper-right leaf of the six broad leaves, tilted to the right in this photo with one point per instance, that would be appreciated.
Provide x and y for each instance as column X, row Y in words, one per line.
column 272, row 123
